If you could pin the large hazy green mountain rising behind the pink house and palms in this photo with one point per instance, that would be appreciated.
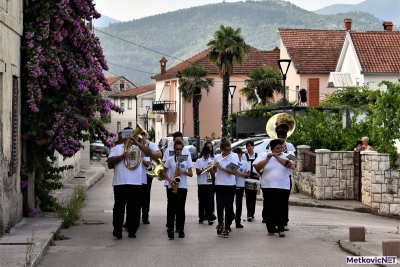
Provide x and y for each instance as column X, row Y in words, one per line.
column 178, row 35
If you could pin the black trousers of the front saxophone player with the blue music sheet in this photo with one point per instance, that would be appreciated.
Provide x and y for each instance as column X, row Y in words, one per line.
column 176, row 209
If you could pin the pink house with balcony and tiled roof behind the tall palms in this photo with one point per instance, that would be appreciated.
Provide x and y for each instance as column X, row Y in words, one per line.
column 173, row 114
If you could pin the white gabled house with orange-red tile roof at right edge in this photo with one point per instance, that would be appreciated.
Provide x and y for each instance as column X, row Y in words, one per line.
column 368, row 57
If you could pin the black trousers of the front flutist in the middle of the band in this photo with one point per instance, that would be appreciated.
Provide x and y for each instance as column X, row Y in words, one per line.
column 225, row 196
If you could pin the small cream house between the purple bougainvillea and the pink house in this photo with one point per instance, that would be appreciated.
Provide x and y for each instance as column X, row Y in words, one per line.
column 137, row 104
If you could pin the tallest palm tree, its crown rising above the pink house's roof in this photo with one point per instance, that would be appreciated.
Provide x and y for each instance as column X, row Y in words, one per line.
column 228, row 49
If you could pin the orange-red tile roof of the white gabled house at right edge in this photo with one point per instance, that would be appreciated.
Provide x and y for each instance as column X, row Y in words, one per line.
column 378, row 51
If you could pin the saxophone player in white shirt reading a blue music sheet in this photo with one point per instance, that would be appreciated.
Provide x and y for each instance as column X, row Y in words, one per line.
column 176, row 201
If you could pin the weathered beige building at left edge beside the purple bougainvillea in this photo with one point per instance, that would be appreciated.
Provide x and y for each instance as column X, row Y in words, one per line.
column 11, row 30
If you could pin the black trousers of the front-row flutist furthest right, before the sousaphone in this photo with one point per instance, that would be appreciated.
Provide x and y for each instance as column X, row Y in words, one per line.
column 275, row 208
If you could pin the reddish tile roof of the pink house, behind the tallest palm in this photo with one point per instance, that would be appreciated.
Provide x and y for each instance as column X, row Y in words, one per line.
column 255, row 59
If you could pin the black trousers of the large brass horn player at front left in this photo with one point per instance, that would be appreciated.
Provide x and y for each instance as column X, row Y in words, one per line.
column 129, row 196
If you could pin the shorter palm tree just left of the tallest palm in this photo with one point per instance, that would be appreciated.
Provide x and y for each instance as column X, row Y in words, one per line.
column 193, row 80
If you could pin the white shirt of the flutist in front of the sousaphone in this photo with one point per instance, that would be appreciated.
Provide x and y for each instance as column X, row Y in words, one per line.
column 275, row 175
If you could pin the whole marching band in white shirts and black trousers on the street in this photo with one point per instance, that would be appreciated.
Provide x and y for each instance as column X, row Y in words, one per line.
column 230, row 175
